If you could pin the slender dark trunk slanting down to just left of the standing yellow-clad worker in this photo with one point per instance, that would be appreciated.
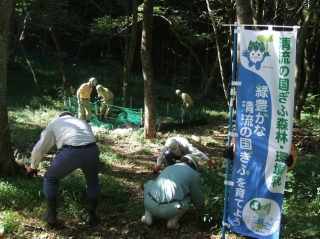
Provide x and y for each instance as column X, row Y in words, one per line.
column 66, row 83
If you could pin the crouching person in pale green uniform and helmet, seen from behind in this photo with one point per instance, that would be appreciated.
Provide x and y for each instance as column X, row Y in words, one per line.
column 173, row 192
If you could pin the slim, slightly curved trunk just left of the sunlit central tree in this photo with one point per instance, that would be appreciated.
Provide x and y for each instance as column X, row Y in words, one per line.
column 130, row 51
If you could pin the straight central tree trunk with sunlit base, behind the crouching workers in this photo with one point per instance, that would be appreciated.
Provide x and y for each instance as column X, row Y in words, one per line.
column 150, row 127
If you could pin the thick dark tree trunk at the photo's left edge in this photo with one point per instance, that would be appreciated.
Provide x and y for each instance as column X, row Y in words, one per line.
column 7, row 161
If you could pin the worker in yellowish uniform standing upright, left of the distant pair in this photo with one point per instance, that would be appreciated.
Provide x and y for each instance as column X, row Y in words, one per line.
column 83, row 95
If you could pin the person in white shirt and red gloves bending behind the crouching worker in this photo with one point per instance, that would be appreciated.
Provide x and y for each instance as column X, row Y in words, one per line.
column 175, row 148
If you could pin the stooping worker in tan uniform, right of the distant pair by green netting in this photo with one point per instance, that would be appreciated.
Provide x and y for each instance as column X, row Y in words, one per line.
column 107, row 101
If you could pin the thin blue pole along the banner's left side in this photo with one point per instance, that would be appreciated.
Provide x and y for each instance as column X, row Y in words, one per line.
column 232, row 90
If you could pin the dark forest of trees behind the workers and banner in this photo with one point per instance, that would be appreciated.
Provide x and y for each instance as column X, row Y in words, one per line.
column 54, row 46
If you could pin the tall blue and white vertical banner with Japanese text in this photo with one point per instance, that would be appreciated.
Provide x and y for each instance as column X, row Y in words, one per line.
column 264, row 119
